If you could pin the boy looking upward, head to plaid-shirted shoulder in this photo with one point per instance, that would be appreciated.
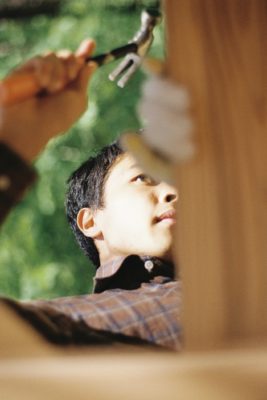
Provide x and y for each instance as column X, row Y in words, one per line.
column 122, row 219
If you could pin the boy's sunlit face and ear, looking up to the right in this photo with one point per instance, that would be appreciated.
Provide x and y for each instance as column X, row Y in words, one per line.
column 138, row 212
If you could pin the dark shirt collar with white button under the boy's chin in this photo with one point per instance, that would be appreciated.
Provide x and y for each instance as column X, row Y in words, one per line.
column 130, row 272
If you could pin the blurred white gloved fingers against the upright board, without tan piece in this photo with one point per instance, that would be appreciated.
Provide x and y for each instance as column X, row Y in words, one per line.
column 164, row 109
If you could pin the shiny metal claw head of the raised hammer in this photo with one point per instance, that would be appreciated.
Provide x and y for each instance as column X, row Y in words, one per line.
column 143, row 40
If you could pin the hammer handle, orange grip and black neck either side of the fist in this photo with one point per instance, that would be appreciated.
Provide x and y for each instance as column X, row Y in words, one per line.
column 23, row 86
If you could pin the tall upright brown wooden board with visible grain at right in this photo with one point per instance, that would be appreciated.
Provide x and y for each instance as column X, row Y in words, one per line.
column 218, row 50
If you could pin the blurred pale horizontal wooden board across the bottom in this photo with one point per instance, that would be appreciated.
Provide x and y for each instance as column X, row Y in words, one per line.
column 231, row 375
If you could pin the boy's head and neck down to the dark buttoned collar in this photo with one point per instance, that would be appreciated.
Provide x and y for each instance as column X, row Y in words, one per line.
column 122, row 219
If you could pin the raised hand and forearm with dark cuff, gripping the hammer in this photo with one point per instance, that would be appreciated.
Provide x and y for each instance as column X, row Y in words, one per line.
column 27, row 126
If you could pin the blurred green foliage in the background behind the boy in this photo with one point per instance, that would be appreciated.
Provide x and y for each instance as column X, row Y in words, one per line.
column 39, row 257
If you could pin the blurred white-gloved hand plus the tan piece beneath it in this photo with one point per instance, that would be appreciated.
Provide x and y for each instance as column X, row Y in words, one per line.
column 167, row 137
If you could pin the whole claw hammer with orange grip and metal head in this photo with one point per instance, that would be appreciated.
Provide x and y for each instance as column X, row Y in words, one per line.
column 24, row 86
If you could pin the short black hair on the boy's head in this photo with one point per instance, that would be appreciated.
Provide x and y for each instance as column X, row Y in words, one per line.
column 86, row 189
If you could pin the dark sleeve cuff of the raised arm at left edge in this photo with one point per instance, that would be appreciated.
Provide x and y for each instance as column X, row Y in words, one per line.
column 15, row 177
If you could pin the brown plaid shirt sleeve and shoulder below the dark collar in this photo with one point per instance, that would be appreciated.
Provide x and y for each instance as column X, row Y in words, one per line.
column 148, row 316
